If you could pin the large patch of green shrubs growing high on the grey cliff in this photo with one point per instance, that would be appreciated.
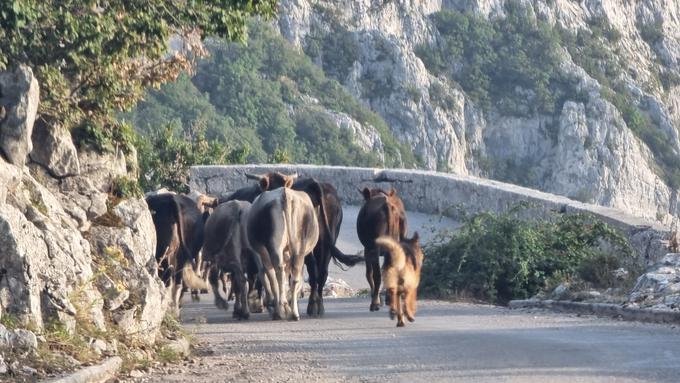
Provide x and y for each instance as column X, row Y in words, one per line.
column 498, row 61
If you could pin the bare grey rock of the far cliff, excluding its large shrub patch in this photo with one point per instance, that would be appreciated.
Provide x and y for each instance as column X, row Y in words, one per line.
column 584, row 149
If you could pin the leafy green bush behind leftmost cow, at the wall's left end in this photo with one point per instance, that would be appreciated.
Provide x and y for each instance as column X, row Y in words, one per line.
column 166, row 155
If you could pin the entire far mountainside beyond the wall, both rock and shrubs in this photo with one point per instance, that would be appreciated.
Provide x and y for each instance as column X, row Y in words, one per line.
column 579, row 99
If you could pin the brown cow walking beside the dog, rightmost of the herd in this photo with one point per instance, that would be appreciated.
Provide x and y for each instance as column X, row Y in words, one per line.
column 382, row 214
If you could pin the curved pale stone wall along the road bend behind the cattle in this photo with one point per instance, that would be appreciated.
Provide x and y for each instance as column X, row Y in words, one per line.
column 440, row 193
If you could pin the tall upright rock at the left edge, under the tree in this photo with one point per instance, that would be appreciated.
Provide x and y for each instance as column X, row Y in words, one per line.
column 19, row 97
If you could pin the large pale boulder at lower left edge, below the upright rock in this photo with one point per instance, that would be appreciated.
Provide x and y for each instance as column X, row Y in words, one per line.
column 47, row 261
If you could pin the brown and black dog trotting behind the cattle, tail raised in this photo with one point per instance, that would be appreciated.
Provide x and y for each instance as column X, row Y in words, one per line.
column 401, row 273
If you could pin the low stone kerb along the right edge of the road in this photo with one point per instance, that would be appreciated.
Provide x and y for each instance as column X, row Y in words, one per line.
column 600, row 309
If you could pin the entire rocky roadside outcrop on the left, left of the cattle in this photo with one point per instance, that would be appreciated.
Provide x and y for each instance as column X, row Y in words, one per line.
column 70, row 256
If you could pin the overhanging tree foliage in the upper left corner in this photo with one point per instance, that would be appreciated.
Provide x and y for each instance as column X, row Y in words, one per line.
column 93, row 59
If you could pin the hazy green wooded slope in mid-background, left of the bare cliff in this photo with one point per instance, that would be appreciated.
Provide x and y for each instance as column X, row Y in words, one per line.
column 257, row 97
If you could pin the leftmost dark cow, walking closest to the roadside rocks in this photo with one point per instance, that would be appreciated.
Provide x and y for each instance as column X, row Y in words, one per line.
column 179, row 238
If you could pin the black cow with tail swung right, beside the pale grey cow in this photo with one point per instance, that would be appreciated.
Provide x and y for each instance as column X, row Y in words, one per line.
column 329, row 215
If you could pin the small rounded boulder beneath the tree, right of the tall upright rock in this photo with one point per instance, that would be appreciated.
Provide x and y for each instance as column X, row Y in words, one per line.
column 53, row 148
